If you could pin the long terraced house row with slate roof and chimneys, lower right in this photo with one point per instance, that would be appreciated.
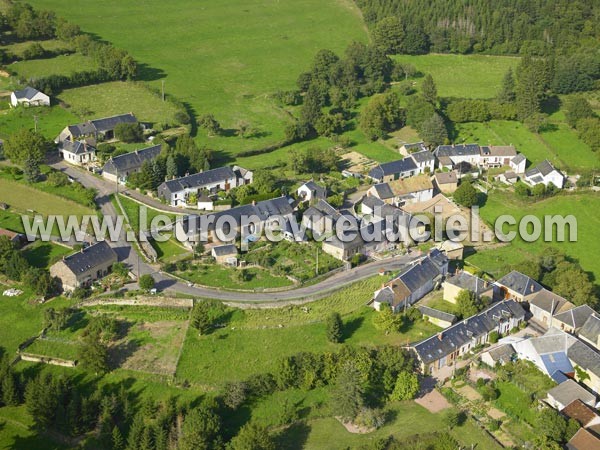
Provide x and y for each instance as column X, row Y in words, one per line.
column 443, row 349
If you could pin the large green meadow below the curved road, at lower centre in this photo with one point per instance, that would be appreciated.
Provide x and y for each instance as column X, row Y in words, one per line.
column 253, row 341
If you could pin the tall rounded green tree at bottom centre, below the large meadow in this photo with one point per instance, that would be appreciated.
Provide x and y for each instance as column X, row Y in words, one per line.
column 347, row 395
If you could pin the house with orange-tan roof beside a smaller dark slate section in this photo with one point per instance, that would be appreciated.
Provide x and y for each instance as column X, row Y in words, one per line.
column 405, row 191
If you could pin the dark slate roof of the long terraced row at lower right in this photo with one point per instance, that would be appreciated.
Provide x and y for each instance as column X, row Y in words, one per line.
column 454, row 337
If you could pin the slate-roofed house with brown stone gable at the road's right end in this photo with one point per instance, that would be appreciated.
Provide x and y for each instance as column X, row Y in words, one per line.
column 413, row 282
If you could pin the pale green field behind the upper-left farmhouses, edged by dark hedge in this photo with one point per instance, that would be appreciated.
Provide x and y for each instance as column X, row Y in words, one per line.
column 117, row 97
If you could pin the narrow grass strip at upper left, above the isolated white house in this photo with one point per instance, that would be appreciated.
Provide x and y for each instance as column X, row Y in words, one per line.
column 59, row 65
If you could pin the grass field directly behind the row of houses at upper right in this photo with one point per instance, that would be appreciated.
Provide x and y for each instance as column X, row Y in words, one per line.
column 561, row 146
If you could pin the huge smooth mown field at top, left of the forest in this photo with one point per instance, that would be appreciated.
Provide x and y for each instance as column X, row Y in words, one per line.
column 235, row 54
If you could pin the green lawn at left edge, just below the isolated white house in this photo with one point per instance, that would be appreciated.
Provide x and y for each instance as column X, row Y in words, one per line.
column 51, row 120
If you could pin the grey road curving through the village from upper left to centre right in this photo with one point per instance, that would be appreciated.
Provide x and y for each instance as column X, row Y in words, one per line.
column 165, row 282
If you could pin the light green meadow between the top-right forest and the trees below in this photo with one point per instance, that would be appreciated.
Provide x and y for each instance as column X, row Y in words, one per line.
column 470, row 76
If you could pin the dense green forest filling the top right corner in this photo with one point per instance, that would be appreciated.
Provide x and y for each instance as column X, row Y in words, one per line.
column 501, row 26
